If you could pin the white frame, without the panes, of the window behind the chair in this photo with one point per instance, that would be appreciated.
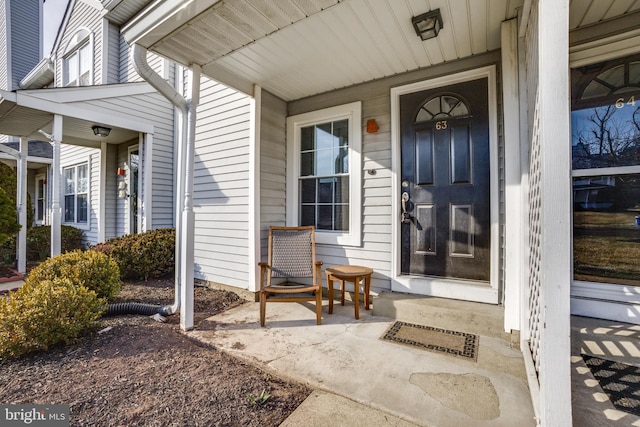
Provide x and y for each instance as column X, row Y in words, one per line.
column 352, row 112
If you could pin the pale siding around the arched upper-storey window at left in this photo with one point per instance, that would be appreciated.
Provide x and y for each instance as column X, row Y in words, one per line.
column 86, row 17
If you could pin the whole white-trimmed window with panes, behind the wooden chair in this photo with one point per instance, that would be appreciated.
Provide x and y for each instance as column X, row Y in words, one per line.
column 324, row 173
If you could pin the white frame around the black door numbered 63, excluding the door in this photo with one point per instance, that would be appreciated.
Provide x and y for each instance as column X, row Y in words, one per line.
column 434, row 286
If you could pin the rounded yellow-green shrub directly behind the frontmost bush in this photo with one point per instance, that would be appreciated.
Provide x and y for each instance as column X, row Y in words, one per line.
column 89, row 269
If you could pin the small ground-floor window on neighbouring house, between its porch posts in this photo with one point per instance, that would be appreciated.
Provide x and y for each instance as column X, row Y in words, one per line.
column 76, row 194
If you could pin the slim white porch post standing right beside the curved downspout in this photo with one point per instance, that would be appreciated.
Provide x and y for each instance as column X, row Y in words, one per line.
column 188, row 215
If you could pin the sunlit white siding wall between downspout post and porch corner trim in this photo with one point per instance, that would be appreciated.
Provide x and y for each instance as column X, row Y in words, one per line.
column 221, row 186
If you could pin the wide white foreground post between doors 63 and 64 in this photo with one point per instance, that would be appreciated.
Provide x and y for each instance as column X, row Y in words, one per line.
column 555, row 196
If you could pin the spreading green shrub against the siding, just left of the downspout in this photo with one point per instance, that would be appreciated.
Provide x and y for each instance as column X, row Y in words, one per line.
column 144, row 255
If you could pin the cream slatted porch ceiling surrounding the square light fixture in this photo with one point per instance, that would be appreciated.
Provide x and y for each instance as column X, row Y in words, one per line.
column 298, row 48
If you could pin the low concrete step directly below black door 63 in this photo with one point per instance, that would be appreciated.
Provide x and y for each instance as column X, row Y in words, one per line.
column 462, row 316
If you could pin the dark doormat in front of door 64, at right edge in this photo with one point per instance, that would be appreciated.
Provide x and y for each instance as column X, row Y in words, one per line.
column 621, row 382
